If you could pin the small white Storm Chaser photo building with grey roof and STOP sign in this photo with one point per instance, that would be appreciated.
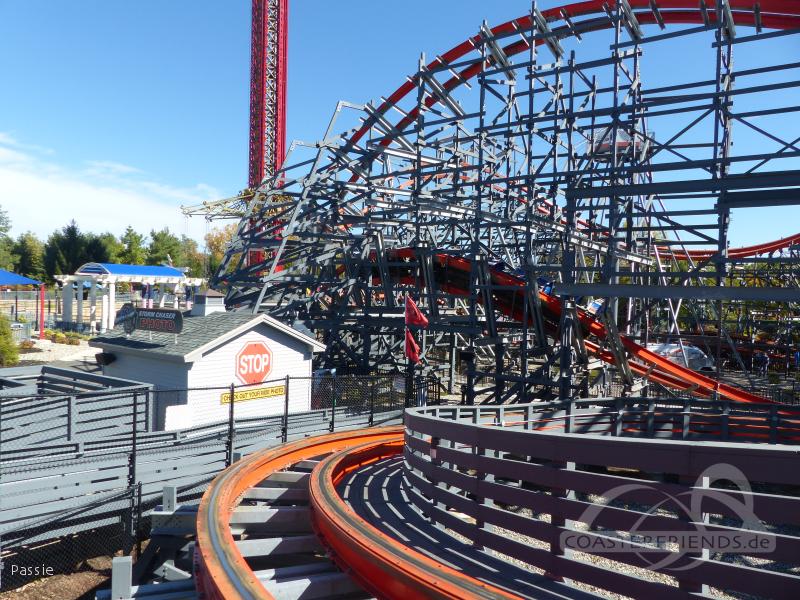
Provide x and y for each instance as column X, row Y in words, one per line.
column 214, row 350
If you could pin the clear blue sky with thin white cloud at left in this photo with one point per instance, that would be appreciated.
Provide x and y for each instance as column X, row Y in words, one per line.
column 131, row 109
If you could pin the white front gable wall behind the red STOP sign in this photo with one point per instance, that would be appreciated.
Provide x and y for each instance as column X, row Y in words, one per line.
column 217, row 369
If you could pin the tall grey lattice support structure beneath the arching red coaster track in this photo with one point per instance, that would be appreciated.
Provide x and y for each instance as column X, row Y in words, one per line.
column 512, row 166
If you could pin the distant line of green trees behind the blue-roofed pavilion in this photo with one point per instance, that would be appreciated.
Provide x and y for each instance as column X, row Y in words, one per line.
column 66, row 249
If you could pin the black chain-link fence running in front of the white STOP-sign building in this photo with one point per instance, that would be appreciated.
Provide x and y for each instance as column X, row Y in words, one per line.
column 75, row 469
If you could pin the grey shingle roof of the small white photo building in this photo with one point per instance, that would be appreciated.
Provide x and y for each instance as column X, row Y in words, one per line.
column 197, row 331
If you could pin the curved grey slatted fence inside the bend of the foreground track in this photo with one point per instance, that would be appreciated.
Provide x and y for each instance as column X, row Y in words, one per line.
column 527, row 482
